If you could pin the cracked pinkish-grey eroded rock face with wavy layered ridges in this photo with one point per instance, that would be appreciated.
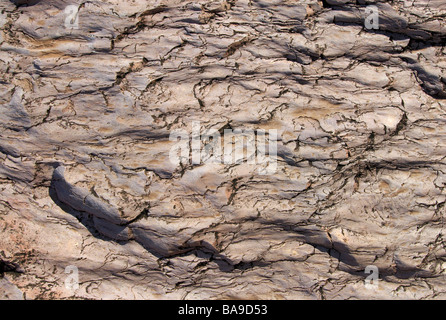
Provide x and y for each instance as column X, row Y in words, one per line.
column 90, row 99
